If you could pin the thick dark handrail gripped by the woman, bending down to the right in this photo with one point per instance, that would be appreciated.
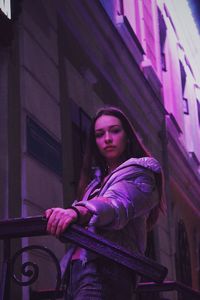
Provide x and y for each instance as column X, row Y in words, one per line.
column 34, row 226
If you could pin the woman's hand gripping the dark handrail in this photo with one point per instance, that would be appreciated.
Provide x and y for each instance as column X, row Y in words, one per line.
column 59, row 219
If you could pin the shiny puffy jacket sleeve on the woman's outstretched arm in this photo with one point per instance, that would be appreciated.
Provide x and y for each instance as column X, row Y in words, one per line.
column 124, row 200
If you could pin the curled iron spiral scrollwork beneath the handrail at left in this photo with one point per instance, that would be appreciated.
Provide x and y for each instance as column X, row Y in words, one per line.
column 30, row 269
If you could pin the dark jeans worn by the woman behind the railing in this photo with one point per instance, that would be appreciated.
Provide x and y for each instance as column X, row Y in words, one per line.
column 99, row 279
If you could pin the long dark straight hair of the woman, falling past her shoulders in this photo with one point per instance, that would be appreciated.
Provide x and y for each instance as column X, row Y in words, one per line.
column 93, row 158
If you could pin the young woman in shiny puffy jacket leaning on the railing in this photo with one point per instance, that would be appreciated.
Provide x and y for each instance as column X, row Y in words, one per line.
column 121, row 202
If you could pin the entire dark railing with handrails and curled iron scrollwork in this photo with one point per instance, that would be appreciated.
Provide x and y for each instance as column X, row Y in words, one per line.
column 36, row 226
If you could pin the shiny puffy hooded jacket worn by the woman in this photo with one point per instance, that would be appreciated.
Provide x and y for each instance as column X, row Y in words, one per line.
column 131, row 193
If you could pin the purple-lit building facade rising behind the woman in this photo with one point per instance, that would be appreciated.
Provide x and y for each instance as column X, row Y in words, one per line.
column 61, row 61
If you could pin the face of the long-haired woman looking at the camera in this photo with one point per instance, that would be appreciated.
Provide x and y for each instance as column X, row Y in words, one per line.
column 111, row 138
